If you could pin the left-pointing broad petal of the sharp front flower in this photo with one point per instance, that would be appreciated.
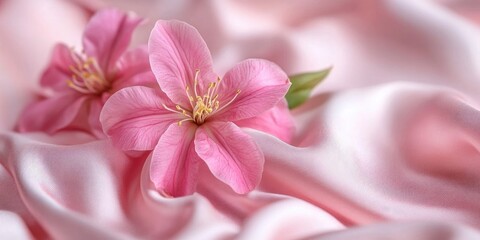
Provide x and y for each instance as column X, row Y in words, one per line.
column 135, row 119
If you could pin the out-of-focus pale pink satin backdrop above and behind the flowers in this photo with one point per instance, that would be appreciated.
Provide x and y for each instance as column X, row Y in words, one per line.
column 367, row 42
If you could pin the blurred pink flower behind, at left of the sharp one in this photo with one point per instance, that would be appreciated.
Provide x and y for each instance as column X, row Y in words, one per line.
column 81, row 82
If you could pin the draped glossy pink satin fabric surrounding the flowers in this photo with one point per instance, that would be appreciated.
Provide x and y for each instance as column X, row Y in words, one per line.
column 388, row 146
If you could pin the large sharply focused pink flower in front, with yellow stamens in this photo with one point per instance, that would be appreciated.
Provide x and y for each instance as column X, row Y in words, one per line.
column 192, row 117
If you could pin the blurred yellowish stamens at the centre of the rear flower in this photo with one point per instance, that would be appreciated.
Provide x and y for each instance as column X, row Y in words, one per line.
column 87, row 76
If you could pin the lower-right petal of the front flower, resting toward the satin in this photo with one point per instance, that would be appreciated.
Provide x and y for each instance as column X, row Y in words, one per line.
column 231, row 155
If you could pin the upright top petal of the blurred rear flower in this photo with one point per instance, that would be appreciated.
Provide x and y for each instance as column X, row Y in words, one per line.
column 107, row 35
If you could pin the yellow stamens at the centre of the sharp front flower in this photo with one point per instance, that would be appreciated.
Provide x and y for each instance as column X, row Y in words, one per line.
column 204, row 105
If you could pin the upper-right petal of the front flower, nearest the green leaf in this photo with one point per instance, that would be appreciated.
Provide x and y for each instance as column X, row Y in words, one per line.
column 261, row 83
